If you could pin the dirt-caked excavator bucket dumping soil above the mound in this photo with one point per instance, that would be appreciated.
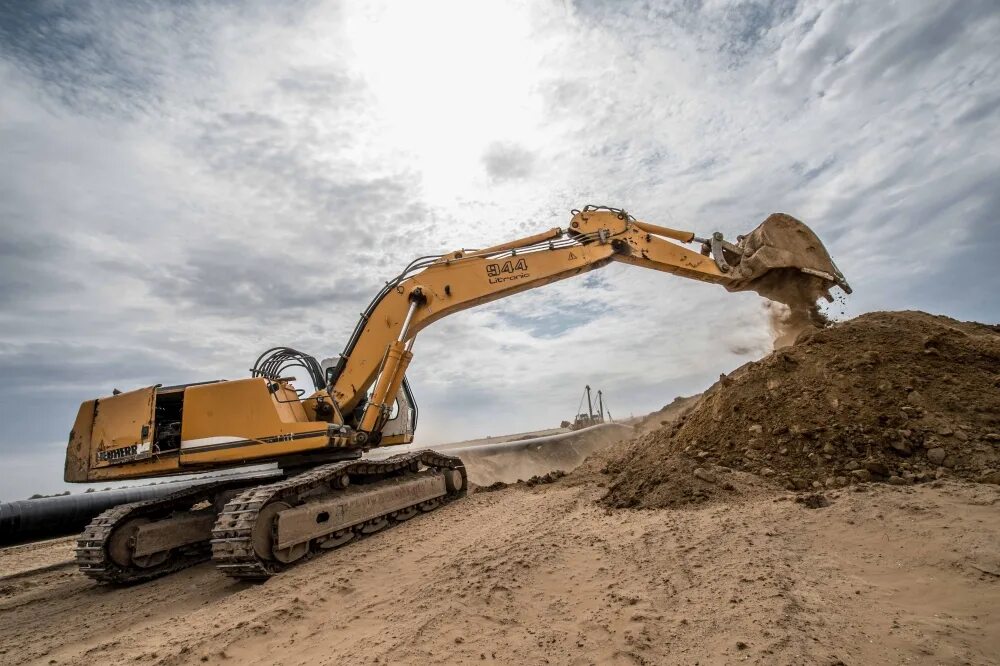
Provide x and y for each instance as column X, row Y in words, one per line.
column 782, row 260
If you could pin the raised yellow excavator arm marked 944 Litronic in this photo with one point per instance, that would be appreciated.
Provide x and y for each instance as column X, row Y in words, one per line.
column 380, row 349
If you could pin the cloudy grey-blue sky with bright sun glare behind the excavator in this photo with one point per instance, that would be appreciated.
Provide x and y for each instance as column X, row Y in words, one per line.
column 183, row 185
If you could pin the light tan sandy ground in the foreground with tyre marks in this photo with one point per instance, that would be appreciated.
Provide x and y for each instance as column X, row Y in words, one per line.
column 887, row 575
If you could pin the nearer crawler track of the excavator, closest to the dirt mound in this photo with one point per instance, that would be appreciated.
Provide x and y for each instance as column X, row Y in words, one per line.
column 232, row 542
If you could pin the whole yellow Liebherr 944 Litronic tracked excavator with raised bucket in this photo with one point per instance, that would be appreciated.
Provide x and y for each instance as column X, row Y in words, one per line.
column 327, row 493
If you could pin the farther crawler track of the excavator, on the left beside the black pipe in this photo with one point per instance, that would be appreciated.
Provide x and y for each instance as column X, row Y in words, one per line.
column 92, row 547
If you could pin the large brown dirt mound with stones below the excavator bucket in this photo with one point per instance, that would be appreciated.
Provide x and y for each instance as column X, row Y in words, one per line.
column 900, row 397
